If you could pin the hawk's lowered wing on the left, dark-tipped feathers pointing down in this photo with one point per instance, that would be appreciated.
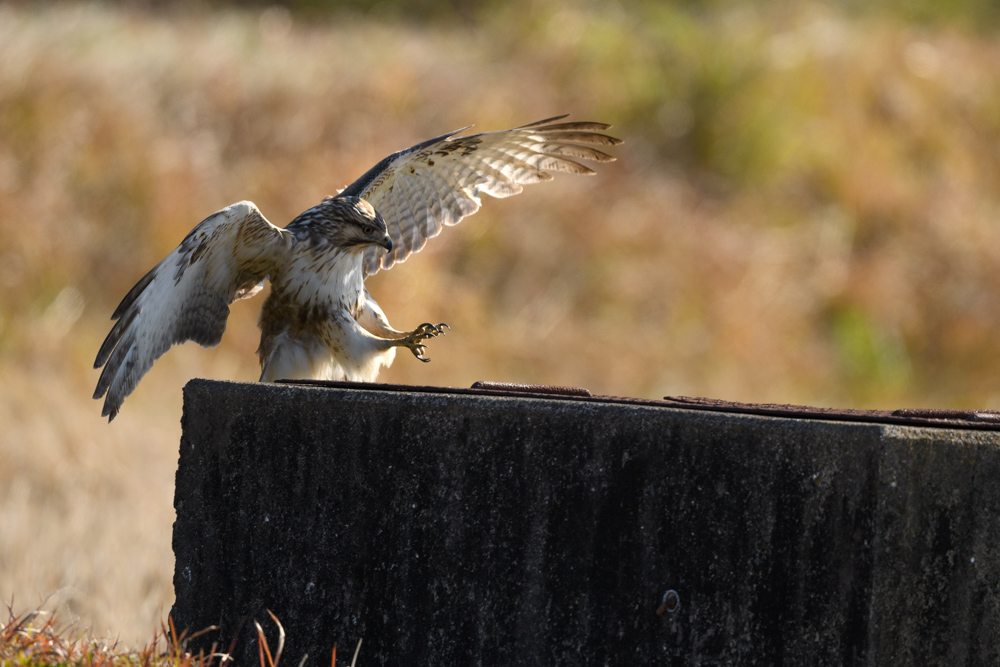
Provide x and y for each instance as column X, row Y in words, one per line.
column 187, row 295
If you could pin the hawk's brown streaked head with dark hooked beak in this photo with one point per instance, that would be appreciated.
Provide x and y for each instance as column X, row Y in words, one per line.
column 347, row 222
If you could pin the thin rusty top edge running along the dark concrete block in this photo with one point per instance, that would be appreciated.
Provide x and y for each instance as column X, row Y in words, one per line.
column 979, row 420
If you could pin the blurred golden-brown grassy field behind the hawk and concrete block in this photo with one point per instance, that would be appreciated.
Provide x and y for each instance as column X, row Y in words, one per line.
column 805, row 210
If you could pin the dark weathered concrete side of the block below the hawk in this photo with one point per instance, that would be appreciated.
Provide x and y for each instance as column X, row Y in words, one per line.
column 462, row 530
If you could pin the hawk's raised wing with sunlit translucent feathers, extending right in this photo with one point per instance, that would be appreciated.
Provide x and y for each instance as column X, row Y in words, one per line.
column 439, row 181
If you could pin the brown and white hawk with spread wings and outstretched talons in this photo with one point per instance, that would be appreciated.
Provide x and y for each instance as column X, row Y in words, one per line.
column 319, row 321
